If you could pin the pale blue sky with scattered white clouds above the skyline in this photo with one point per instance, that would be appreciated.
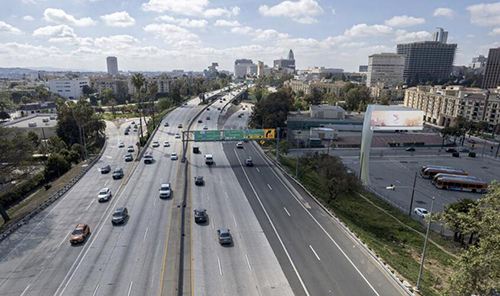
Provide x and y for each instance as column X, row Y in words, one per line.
column 191, row 34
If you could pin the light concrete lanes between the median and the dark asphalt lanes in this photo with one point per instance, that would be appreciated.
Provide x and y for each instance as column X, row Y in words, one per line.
column 246, row 267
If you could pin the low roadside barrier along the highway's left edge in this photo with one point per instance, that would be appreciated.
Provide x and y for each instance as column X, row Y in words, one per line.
column 53, row 198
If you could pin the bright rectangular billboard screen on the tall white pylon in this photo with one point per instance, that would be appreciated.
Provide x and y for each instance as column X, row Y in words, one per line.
column 397, row 120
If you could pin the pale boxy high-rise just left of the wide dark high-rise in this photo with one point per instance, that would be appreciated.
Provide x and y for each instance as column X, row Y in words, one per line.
column 386, row 68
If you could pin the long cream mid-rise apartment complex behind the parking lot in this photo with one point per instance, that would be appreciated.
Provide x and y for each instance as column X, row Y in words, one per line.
column 442, row 105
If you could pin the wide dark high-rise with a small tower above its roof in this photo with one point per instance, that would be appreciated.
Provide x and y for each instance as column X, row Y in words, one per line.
column 428, row 60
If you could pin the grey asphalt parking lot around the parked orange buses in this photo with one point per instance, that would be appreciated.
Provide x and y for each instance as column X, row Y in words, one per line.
column 400, row 171
